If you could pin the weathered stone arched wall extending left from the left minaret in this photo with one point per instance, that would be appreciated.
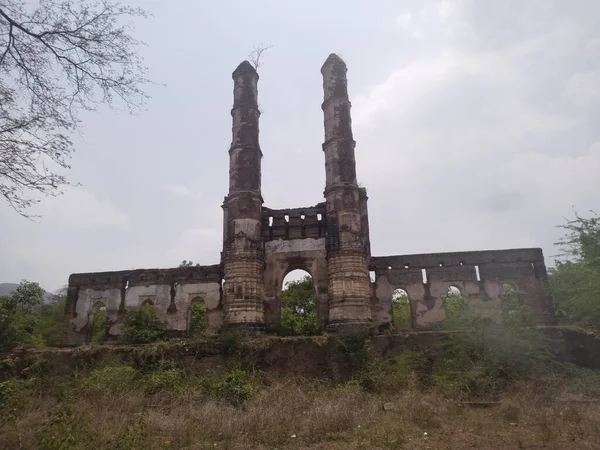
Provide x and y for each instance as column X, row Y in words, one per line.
column 171, row 291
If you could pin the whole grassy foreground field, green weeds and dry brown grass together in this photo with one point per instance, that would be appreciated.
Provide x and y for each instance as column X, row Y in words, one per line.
column 119, row 407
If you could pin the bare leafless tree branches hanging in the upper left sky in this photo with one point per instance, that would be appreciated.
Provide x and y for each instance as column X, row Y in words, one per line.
column 56, row 59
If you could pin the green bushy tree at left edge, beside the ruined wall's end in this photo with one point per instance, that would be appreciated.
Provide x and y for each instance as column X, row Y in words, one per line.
column 19, row 315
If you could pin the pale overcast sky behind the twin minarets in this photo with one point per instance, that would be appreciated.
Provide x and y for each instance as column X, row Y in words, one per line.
column 476, row 122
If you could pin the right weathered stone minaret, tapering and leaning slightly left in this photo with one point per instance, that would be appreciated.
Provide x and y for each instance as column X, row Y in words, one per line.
column 347, row 238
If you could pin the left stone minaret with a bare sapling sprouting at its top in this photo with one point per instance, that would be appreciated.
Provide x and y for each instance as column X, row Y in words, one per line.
column 243, row 255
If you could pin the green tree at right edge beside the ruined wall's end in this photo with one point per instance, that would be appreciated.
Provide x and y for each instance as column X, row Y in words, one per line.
column 575, row 279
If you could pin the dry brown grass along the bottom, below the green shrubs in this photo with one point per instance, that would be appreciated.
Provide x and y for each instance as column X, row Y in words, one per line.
column 299, row 414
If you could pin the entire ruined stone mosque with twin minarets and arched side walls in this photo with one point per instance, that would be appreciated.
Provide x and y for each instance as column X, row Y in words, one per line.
column 329, row 240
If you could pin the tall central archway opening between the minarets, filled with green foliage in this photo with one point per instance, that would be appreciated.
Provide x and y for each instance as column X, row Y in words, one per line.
column 298, row 305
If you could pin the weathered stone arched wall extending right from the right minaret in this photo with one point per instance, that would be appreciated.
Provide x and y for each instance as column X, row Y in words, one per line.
column 478, row 275
